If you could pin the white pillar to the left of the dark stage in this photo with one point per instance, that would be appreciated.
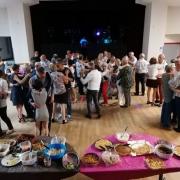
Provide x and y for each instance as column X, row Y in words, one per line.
column 20, row 31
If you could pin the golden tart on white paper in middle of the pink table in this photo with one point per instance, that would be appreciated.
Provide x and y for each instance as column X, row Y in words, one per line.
column 141, row 148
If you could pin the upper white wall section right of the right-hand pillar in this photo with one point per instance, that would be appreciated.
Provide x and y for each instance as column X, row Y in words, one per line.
column 173, row 20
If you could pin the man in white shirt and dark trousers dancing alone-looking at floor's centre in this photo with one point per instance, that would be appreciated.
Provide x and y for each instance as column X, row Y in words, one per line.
column 93, row 79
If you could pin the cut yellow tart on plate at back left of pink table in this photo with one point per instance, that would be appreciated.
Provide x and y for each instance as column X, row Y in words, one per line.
column 103, row 144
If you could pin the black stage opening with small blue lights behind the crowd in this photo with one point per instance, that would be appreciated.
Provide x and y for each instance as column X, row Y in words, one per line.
column 116, row 26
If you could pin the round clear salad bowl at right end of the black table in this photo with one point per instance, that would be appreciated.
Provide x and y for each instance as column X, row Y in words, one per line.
column 70, row 161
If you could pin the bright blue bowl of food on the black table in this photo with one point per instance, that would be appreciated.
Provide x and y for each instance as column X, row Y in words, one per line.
column 55, row 151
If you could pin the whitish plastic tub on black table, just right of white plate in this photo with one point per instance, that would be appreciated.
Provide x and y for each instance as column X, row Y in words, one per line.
column 29, row 158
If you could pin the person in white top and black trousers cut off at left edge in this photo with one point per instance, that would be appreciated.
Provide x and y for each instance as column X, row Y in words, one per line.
column 3, row 105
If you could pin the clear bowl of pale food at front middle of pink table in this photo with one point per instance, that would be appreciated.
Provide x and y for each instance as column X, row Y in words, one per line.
column 110, row 158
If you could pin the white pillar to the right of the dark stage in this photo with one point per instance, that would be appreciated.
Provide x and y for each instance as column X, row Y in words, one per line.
column 154, row 28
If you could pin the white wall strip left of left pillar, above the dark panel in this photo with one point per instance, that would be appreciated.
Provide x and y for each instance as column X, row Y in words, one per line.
column 4, row 26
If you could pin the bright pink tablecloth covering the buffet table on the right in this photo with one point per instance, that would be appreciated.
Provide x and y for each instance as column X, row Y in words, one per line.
column 129, row 167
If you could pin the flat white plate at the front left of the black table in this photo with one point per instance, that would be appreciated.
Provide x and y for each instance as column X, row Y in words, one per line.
column 10, row 160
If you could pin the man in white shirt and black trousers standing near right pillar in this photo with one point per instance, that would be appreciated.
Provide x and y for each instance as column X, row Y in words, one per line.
column 140, row 73
